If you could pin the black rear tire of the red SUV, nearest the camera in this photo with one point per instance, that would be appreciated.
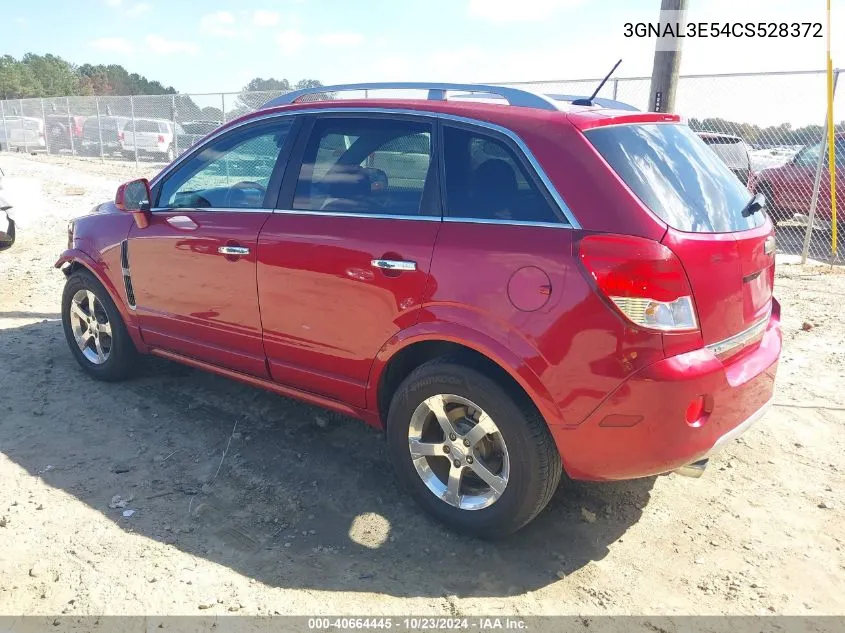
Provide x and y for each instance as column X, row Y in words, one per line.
column 533, row 463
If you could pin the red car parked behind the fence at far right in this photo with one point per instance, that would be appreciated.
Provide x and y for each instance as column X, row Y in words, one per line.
column 789, row 187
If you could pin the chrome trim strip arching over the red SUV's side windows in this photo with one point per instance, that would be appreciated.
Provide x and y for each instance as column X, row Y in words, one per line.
column 513, row 136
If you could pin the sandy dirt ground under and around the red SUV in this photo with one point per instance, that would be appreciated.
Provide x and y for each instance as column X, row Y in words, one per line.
column 245, row 502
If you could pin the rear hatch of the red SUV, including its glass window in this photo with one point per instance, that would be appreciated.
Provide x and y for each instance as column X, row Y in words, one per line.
column 726, row 251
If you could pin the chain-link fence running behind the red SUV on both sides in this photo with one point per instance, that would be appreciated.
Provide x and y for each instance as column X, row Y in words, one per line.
column 768, row 128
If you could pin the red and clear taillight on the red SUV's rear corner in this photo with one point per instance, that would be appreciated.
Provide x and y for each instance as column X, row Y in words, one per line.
column 643, row 279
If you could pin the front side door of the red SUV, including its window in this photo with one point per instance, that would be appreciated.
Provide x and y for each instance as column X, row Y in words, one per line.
column 193, row 269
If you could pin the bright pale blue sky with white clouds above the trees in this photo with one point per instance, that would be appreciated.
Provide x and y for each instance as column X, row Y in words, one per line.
column 218, row 45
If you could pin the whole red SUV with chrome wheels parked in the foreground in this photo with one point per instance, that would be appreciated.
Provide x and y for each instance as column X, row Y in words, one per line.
column 511, row 290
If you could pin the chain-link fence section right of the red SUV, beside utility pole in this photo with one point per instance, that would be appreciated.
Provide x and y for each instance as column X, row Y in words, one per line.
column 769, row 128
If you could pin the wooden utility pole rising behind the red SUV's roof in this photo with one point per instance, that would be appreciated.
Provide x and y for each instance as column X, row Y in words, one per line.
column 667, row 57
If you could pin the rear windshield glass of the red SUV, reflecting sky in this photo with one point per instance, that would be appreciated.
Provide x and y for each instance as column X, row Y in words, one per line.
column 677, row 176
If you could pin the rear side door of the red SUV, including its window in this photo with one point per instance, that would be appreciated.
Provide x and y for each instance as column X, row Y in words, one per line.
column 344, row 260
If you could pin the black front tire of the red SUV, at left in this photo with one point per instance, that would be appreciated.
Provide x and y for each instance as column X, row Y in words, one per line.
column 118, row 349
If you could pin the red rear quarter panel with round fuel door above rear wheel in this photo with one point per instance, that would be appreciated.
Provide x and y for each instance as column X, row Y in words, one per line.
column 568, row 353
